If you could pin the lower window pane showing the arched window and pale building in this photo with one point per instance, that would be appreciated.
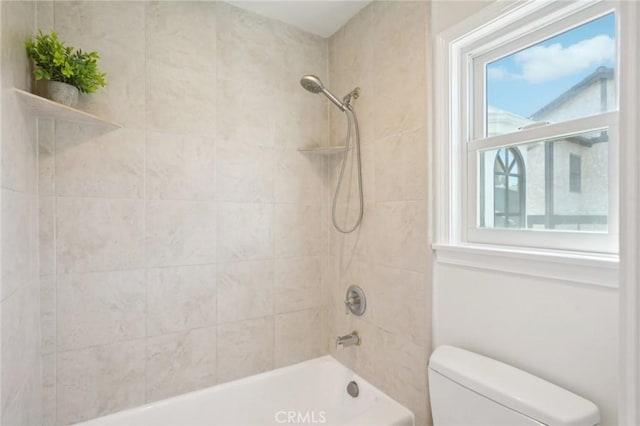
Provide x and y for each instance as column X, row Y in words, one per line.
column 533, row 185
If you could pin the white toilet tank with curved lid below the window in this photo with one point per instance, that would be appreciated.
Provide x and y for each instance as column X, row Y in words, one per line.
column 467, row 389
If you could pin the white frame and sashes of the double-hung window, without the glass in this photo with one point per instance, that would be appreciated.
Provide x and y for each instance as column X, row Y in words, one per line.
column 496, row 32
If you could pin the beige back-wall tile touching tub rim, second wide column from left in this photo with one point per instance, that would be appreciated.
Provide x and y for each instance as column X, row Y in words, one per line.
column 179, row 363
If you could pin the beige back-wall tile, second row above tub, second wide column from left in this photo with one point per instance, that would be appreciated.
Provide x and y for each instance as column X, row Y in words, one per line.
column 181, row 298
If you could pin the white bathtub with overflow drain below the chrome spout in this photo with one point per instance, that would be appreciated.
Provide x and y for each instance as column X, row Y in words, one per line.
column 310, row 393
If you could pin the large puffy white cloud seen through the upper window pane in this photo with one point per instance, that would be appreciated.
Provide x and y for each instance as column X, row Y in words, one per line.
column 544, row 63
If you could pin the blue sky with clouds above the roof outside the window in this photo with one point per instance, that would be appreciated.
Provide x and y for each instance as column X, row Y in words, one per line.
column 525, row 81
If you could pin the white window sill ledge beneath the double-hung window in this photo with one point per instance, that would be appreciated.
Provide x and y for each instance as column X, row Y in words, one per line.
column 592, row 269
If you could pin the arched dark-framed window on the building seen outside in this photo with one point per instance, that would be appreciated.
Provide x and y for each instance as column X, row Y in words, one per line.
column 509, row 189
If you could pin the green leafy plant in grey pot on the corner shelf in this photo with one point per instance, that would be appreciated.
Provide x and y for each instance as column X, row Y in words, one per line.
column 68, row 71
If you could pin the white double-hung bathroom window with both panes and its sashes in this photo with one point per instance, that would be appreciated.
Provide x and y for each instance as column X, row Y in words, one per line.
column 538, row 116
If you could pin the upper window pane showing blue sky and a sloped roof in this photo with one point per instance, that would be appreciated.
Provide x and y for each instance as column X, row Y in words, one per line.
column 568, row 76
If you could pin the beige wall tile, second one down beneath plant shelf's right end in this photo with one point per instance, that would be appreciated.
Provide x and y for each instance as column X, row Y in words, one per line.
column 96, row 234
